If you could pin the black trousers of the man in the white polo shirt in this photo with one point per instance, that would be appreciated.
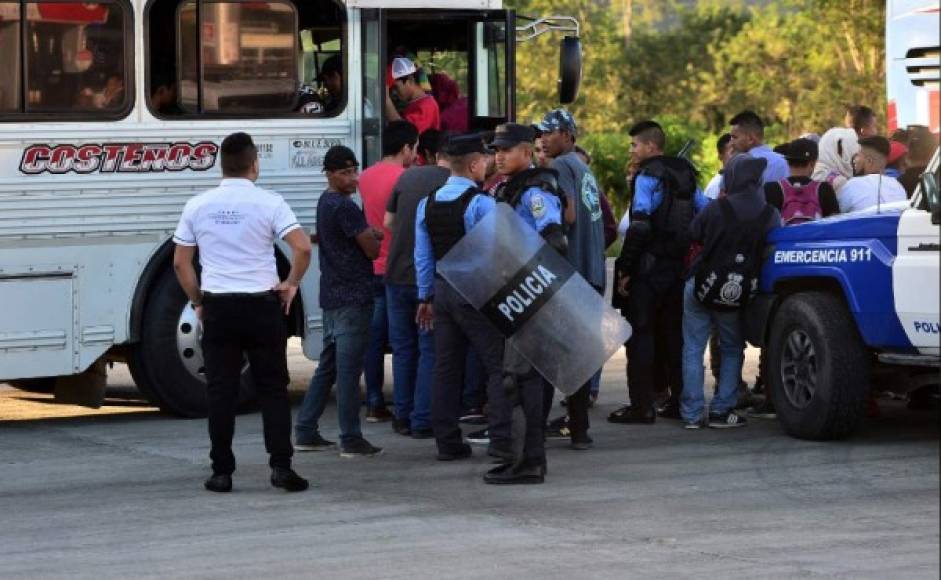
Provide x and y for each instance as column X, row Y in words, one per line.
column 252, row 325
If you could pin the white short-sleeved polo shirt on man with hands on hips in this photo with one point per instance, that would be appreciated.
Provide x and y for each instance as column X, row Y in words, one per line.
column 235, row 226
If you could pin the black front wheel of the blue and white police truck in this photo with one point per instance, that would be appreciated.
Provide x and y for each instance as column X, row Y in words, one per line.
column 818, row 367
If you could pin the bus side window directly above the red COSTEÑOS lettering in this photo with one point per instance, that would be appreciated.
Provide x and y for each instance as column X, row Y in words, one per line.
column 245, row 59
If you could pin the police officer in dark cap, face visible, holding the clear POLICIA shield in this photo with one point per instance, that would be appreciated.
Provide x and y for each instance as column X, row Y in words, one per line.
column 534, row 195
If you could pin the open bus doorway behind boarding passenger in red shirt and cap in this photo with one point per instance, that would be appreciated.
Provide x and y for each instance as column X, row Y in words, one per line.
column 467, row 59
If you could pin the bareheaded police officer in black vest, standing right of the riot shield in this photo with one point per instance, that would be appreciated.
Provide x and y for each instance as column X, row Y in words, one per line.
column 649, row 271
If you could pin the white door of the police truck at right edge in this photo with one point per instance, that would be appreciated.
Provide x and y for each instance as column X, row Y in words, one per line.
column 917, row 269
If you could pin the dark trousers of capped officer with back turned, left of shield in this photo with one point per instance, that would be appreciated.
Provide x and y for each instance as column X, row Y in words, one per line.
column 457, row 326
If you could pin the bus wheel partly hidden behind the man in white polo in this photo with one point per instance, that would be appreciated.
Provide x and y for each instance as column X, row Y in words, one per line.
column 167, row 363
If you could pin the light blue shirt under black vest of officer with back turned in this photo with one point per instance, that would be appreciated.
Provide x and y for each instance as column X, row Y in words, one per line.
column 478, row 207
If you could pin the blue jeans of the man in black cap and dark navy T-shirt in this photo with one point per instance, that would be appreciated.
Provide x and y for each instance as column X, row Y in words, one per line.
column 345, row 335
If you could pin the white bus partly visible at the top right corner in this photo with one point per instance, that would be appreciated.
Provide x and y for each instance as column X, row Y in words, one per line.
column 913, row 63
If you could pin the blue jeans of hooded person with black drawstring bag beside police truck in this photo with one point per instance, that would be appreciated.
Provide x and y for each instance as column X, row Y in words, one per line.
column 698, row 322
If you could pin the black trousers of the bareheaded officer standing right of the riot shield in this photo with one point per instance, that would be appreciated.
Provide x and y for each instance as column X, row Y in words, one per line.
column 656, row 345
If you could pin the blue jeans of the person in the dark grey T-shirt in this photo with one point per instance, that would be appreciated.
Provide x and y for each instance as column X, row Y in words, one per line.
column 413, row 358
